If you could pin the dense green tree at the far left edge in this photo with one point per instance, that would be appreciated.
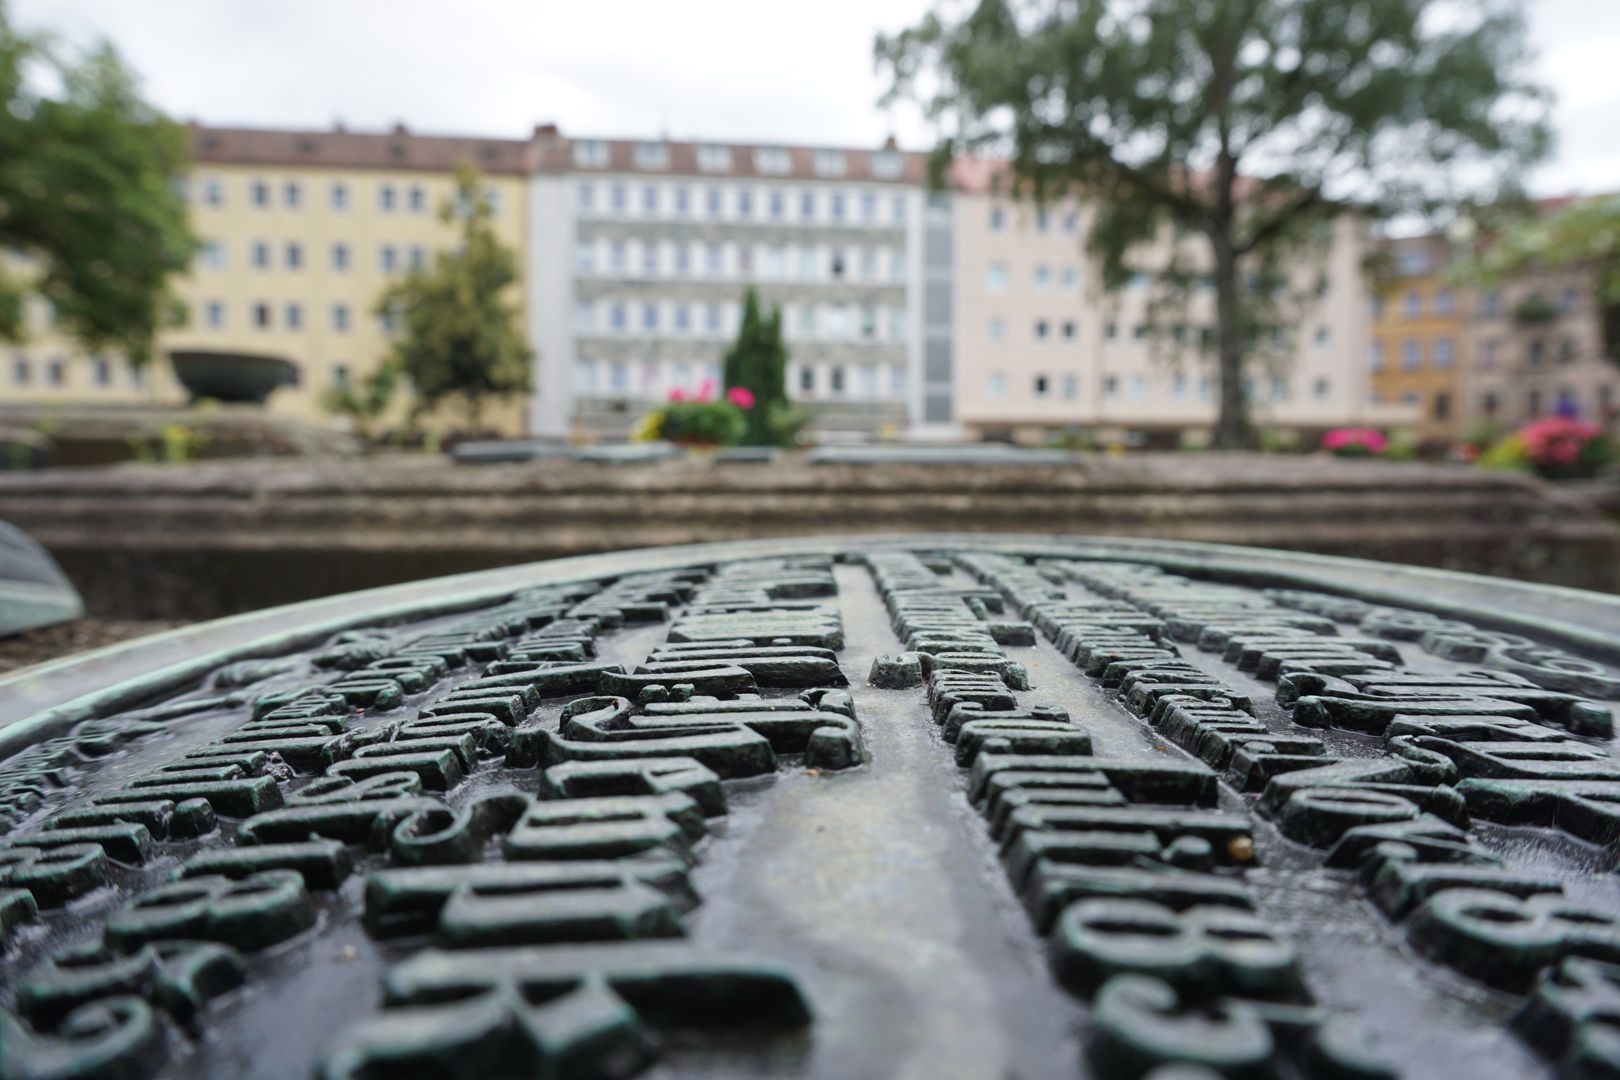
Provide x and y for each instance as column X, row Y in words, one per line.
column 88, row 197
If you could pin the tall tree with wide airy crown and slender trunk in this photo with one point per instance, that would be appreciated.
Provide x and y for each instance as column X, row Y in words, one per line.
column 1247, row 124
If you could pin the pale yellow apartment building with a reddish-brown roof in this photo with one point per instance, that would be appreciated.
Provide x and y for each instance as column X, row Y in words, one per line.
column 302, row 232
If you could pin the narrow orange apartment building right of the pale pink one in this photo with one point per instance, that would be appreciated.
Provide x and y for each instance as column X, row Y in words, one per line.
column 1420, row 342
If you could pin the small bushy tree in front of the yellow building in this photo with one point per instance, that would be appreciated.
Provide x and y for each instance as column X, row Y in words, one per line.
column 459, row 331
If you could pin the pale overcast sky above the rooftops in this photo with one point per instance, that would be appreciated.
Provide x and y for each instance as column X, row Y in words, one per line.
column 748, row 70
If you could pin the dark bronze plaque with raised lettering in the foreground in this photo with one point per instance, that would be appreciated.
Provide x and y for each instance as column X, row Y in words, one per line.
column 855, row 810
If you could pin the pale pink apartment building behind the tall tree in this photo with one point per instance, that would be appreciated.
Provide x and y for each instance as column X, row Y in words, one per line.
column 1042, row 347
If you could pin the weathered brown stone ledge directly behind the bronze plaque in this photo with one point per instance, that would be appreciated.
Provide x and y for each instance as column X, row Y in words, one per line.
column 210, row 540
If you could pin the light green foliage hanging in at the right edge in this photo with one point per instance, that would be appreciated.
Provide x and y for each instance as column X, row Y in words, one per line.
column 1584, row 236
